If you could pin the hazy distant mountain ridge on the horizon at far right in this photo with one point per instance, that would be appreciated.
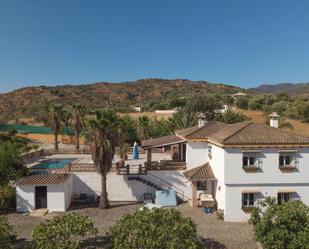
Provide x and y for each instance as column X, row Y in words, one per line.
column 300, row 88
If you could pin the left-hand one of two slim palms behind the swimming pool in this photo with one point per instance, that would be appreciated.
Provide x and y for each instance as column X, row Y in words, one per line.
column 55, row 118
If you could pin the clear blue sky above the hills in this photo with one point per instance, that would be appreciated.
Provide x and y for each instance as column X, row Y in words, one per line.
column 243, row 43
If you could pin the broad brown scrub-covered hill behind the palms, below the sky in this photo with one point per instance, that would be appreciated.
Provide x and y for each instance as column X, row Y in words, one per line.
column 32, row 101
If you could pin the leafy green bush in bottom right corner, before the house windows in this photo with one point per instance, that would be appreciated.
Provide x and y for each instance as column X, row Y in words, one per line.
column 281, row 226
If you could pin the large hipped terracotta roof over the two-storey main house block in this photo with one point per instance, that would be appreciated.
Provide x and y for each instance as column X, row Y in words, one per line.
column 249, row 133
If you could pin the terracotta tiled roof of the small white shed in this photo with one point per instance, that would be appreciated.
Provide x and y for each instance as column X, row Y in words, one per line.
column 44, row 179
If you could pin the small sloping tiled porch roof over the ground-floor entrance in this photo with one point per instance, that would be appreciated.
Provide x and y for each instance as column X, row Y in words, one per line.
column 200, row 173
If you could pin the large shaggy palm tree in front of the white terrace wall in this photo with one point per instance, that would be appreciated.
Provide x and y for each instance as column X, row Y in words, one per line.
column 102, row 135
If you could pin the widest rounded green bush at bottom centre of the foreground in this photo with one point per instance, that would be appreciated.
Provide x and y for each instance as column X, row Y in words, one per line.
column 153, row 229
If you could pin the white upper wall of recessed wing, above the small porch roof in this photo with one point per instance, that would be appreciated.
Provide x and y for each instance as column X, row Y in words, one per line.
column 196, row 154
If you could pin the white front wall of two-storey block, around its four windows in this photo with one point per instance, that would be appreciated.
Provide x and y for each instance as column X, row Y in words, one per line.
column 268, row 180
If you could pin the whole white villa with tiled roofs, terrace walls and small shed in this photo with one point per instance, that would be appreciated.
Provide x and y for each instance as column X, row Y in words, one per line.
column 228, row 167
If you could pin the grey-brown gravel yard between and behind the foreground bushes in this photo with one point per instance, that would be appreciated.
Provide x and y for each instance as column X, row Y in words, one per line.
column 214, row 233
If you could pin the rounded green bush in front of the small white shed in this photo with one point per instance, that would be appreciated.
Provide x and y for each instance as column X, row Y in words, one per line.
column 62, row 232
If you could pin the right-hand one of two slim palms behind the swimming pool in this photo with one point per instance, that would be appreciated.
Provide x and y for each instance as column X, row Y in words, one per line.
column 77, row 120
